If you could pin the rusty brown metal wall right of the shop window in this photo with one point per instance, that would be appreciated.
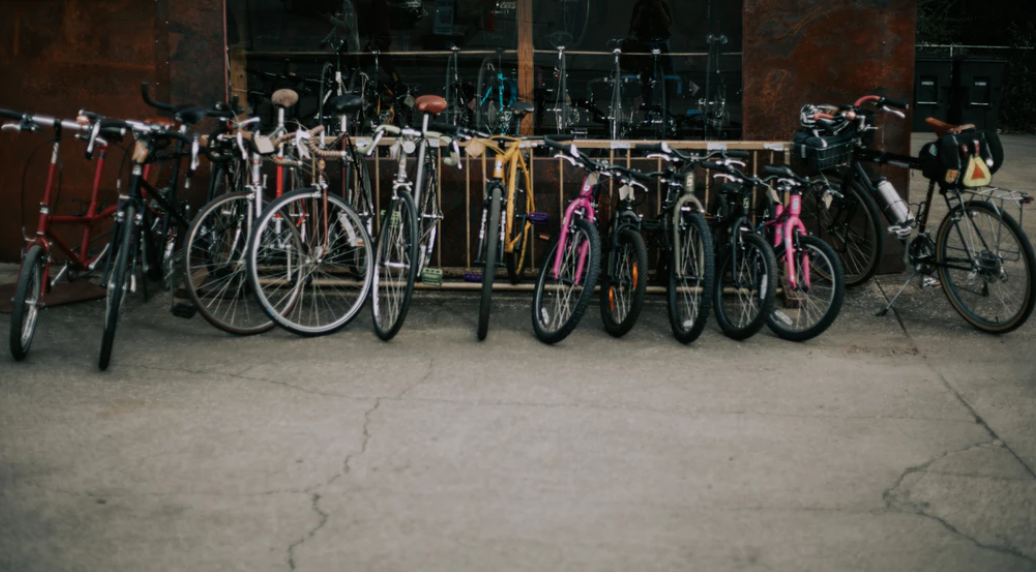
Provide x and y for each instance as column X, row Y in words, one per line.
column 798, row 52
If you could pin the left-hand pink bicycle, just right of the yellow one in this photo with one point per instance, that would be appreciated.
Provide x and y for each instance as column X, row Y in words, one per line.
column 568, row 279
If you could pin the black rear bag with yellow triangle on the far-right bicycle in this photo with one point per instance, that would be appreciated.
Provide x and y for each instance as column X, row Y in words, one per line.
column 963, row 160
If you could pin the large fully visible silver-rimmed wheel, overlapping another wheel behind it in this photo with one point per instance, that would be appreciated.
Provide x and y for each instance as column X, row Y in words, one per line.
column 311, row 263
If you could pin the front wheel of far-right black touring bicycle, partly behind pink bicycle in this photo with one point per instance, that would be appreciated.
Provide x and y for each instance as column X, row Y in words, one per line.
column 851, row 224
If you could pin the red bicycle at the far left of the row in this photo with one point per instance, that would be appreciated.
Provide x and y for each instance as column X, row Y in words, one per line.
column 35, row 280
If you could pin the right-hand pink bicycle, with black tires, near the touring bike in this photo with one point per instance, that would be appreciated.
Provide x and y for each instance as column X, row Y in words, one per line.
column 813, row 281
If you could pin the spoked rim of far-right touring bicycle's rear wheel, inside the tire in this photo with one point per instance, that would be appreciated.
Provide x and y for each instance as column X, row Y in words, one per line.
column 996, row 290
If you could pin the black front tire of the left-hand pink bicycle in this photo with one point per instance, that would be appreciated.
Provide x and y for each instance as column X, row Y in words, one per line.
column 545, row 333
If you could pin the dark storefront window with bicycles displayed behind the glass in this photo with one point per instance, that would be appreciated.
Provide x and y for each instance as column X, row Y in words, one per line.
column 468, row 50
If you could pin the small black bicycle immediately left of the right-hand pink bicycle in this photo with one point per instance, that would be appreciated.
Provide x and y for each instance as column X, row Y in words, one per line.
column 746, row 267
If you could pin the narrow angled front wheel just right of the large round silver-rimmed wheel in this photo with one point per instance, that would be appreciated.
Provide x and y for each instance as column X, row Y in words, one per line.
column 396, row 267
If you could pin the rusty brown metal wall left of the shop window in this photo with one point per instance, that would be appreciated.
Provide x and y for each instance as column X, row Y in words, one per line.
column 60, row 56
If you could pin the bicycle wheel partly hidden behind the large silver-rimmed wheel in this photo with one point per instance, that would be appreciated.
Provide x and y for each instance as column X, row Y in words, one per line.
column 216, row 271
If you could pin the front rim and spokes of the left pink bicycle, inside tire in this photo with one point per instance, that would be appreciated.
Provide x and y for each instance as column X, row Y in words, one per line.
column 561, row 294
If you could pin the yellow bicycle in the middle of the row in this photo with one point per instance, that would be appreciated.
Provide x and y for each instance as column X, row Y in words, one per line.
column 505, row 234
